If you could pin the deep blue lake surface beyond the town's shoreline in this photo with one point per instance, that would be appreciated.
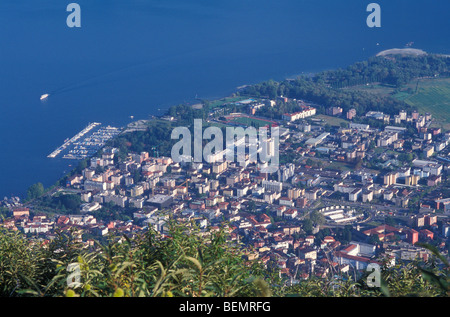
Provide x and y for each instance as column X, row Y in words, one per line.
column 133, row 57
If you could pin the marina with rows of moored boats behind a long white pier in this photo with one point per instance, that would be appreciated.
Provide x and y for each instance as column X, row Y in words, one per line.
column 87, row 146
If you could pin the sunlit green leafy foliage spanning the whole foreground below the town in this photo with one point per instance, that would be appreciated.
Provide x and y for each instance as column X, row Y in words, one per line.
column 184, row 264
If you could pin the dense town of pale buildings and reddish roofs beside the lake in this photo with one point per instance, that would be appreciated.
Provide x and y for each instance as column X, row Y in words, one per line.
column 346, row 193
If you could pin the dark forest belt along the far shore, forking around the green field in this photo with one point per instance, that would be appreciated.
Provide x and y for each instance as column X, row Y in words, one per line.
column 325, row 88
